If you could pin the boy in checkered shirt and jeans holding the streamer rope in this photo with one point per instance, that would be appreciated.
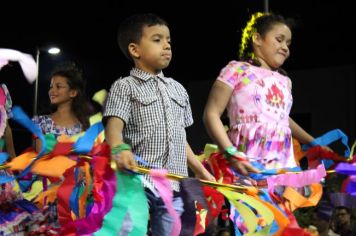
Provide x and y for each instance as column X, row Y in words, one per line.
column 151, row 111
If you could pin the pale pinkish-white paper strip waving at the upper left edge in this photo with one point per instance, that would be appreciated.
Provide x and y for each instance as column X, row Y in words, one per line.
column 26, row 61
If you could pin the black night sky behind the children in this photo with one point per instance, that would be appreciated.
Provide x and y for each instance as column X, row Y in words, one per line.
column 205, row 38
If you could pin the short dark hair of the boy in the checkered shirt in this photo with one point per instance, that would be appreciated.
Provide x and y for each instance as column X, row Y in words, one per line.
column 130, row 30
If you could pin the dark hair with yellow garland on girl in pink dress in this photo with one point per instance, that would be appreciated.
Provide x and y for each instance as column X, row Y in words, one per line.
column 260, row 23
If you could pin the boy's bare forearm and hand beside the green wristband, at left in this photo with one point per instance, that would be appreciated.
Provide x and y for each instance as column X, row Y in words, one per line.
column 113, row 134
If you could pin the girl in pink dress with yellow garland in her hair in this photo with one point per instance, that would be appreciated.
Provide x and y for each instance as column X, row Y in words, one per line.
column 257, row 95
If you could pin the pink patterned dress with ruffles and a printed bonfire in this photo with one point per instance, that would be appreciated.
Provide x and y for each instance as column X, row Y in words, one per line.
column 259, row 113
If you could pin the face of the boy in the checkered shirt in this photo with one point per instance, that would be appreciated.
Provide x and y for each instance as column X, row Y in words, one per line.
column 153, row 52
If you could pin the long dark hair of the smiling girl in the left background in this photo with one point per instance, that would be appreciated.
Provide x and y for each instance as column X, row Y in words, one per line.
column 76, row 82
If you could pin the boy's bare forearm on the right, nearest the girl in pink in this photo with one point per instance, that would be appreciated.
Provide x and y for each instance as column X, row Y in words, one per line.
column 196, row 166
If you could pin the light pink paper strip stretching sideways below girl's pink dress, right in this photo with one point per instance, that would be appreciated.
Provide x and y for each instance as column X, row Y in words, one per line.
column 304, row 178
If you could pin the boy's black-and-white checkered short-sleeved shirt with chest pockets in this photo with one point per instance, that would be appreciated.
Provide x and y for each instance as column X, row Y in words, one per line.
column 155, row 110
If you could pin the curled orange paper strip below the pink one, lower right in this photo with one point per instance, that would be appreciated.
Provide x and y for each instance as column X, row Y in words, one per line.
column 296, row 200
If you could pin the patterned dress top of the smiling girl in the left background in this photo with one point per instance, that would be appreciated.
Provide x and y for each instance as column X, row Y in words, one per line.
column 47, row 125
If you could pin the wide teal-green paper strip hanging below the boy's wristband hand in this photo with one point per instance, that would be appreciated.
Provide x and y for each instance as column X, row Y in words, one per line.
column 129, row 200
